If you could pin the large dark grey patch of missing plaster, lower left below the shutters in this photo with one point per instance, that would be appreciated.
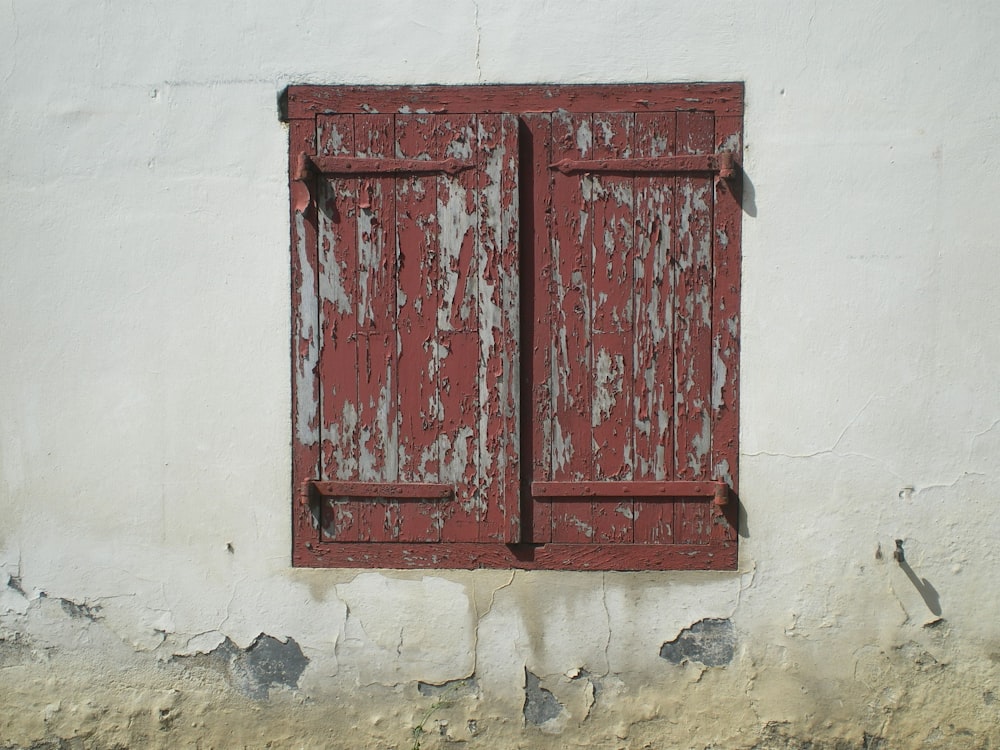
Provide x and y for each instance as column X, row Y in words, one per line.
column 265, row 663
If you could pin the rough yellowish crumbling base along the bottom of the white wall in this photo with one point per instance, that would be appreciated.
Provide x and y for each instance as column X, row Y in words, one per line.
column 70, row 681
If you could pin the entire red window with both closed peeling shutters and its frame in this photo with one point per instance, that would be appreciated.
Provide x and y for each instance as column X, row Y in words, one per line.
column 506, row 270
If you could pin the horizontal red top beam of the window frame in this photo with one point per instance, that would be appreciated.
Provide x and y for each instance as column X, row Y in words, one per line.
column 721, row 98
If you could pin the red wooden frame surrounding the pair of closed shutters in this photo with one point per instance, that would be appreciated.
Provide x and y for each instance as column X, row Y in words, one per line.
column 302, row 105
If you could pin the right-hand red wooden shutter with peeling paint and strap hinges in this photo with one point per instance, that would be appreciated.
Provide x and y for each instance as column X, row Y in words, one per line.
column 628, row 381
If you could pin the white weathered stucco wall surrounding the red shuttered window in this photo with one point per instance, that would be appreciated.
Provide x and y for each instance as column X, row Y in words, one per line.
column 144, row 395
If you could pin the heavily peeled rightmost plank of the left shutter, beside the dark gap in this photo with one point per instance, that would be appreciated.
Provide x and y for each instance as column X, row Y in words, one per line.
column 499, row 328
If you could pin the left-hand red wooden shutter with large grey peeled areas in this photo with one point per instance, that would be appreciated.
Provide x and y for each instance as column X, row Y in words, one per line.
column 418, row 314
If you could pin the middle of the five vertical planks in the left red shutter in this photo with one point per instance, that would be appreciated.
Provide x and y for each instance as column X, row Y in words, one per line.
column 416, row 303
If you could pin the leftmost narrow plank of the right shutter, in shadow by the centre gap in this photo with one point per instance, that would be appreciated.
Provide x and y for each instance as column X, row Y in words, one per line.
column 535, row 197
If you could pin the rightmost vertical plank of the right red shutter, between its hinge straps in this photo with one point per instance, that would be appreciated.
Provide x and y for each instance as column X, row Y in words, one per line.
column 693, row 336
